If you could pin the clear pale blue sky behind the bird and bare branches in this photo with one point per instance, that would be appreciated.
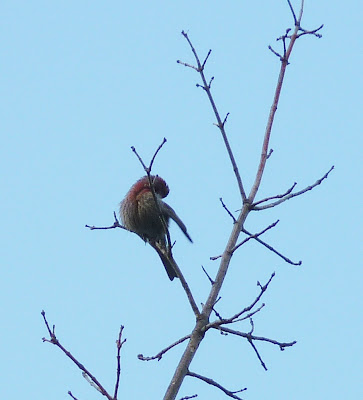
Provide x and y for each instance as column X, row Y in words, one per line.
column 81, row 82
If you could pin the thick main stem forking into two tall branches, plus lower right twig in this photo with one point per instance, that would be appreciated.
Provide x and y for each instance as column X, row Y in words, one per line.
column 203, row 319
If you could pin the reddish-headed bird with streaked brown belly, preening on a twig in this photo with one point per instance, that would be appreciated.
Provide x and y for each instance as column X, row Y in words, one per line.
column 139, row 214
